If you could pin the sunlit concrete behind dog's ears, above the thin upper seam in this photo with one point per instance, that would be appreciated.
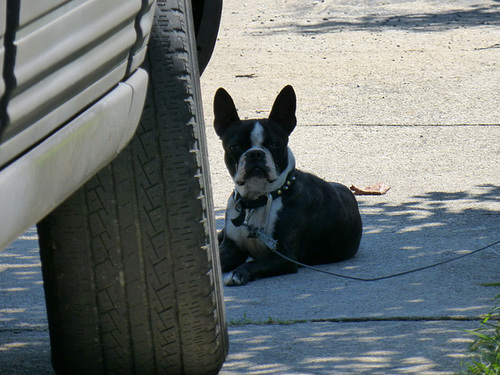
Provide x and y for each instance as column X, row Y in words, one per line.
column 355, row 62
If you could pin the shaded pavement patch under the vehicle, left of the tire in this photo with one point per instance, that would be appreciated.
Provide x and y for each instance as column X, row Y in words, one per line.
column 24, row 337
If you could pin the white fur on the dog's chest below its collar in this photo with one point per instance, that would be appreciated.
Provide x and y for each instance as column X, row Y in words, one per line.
column 255, row 218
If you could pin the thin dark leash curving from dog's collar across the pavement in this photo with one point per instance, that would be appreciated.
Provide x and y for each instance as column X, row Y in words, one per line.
column 270, row 243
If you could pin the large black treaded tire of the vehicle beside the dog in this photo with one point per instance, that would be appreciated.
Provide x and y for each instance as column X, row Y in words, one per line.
column 130, row 261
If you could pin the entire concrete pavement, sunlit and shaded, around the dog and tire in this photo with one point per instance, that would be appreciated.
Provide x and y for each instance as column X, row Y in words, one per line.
column 401, row 92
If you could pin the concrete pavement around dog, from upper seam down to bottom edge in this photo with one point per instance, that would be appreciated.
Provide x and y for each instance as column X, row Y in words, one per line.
column 444, row 202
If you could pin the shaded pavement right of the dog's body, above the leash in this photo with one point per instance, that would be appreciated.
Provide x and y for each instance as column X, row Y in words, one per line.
column 428, row 227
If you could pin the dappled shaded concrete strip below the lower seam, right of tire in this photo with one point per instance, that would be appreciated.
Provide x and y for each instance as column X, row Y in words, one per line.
column 378, row 348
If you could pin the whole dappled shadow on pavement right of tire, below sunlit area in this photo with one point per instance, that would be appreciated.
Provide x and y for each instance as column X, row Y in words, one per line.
column 309, row 323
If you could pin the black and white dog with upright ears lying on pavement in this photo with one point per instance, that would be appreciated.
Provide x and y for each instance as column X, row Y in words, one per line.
column 307, row 219
